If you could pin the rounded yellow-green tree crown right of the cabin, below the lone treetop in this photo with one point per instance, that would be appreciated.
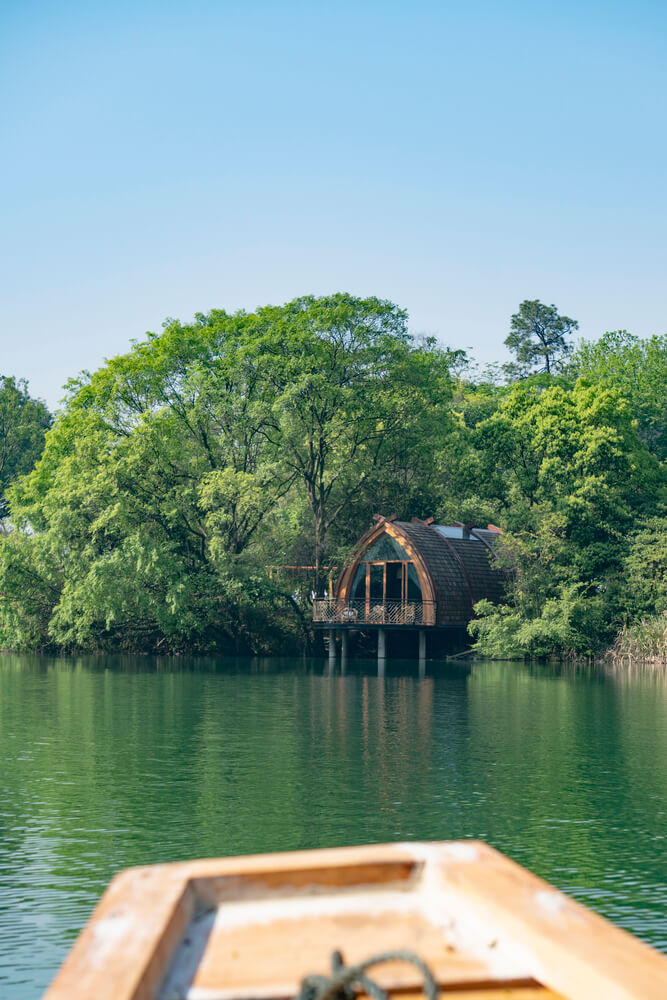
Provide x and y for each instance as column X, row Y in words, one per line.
column 576, row 450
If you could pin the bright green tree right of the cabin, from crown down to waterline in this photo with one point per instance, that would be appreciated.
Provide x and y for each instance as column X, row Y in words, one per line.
column 570, row 478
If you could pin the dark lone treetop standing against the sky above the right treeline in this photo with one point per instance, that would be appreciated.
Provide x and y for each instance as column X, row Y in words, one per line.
column 537, row 338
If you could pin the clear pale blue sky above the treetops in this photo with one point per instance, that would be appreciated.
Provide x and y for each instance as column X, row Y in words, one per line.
column 163, row 158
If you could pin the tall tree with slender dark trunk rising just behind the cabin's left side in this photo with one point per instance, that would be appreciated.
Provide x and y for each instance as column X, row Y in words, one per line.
column 353, row 393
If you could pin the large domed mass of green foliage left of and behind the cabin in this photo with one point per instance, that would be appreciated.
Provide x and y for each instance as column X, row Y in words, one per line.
column 179, row 470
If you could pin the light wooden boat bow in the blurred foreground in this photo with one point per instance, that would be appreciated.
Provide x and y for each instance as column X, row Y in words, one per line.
column 252, row 928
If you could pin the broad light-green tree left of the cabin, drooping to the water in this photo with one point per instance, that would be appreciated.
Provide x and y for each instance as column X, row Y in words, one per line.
column 152, row 483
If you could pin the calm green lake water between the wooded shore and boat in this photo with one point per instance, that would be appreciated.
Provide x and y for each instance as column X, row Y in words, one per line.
column 108, row 762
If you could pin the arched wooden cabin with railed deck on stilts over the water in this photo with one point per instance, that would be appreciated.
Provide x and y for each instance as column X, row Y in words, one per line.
column 413, row 576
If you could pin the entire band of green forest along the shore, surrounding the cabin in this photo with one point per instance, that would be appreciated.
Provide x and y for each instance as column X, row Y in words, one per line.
column 144, row 515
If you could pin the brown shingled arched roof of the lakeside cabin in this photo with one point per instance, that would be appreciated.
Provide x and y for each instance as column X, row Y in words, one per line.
column 454, row 566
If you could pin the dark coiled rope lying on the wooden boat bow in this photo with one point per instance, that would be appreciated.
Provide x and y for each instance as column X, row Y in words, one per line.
column 346, row 981
